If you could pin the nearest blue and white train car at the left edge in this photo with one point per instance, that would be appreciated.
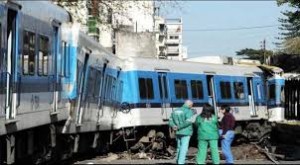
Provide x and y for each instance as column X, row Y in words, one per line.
column 30, row 78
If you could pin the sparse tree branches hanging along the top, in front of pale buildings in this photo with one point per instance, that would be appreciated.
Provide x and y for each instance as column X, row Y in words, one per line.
column 103, row 10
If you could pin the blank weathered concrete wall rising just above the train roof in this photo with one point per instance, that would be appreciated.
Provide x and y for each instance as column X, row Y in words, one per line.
column 130, row 44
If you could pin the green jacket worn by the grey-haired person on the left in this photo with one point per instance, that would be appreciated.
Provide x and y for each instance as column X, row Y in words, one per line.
column 181, row 117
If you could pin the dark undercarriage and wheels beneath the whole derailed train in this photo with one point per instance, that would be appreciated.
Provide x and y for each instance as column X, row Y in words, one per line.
column 46, row 144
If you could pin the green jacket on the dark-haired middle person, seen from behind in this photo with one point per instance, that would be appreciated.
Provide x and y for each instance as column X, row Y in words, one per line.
column 207, row 129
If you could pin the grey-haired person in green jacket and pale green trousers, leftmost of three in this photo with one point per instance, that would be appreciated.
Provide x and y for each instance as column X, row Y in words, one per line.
column 181, row 121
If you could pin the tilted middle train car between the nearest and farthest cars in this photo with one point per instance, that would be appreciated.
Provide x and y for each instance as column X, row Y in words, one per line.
column 93, row 86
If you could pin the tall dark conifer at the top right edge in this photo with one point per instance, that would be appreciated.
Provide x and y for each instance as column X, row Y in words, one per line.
column 290, row 27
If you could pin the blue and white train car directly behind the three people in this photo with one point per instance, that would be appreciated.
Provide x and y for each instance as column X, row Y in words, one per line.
column 153, row 88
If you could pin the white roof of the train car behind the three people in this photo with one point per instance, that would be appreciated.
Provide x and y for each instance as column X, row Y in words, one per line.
column 151, row 64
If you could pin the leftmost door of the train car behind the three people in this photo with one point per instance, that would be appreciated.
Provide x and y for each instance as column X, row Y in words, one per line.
column 164, row 95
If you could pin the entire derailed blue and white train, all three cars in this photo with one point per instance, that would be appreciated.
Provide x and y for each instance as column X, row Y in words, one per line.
column 62, row 93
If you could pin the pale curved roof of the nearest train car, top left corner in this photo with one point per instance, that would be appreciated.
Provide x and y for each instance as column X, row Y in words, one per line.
column 43, row 10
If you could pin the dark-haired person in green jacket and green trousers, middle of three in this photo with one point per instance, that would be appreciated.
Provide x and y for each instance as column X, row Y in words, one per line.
column 208, row 134
